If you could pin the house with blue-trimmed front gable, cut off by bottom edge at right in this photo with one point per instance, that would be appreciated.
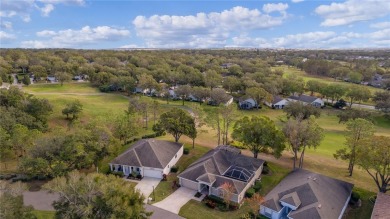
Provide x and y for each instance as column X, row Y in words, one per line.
column 303, row 194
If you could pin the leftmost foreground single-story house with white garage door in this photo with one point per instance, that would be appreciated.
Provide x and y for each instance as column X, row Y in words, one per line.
column 148, row 157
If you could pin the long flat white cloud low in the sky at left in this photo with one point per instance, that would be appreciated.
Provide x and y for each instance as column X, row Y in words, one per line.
column 76, row 38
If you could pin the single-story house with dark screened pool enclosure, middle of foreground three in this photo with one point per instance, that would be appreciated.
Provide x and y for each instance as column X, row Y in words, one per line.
column 223, row 164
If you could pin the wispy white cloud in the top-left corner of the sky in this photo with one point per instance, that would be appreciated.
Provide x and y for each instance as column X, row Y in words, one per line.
column 23, row 8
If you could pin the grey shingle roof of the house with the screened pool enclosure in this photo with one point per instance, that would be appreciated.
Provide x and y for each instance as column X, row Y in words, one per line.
column 215, row 163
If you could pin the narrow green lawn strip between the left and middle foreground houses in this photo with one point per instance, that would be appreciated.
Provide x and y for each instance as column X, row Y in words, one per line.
column 164, row 188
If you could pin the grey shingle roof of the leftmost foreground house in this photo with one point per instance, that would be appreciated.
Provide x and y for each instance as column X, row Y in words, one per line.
column 149, row 153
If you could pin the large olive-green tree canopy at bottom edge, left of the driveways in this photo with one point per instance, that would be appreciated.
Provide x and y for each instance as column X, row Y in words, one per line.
column 96, row 196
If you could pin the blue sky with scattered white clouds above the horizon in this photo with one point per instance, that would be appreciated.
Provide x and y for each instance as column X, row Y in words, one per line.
column 103, row 24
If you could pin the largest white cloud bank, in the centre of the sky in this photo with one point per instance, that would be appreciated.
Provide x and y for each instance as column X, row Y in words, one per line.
column 204, row 30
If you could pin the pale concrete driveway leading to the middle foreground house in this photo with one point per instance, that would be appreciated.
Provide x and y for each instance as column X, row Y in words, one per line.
column 176, row 200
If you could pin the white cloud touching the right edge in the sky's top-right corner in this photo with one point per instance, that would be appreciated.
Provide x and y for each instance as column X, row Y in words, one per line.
column 352, row 11
